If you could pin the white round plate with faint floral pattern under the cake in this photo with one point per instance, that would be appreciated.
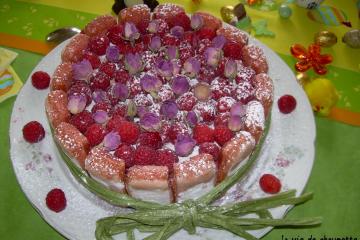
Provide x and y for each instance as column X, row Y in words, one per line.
column 288, row 153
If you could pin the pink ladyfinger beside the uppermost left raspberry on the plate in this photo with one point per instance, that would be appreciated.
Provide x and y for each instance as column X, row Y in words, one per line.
column 62, row 77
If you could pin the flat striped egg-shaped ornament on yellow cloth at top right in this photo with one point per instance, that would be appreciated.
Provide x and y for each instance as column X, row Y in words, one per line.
column 329, row 16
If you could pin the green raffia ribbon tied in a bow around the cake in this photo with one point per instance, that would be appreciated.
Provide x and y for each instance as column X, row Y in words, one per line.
column 162, row 221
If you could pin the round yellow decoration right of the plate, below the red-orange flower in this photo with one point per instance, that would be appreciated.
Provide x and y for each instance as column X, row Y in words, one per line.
column 322, row 95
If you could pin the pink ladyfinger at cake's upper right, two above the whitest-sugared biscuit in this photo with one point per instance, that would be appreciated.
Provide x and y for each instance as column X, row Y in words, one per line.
column 254, row 57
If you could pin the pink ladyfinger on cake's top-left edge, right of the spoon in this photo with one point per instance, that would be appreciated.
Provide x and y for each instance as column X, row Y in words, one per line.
column 100, row 25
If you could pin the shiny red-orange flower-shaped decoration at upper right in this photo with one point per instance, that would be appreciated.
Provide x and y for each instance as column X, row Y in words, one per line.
column 310, row 58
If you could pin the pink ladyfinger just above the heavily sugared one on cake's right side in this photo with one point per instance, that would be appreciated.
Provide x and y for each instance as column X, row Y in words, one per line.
column 264, row 91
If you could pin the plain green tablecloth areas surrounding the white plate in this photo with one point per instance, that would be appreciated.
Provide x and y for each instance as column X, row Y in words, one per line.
column 334, row 180
